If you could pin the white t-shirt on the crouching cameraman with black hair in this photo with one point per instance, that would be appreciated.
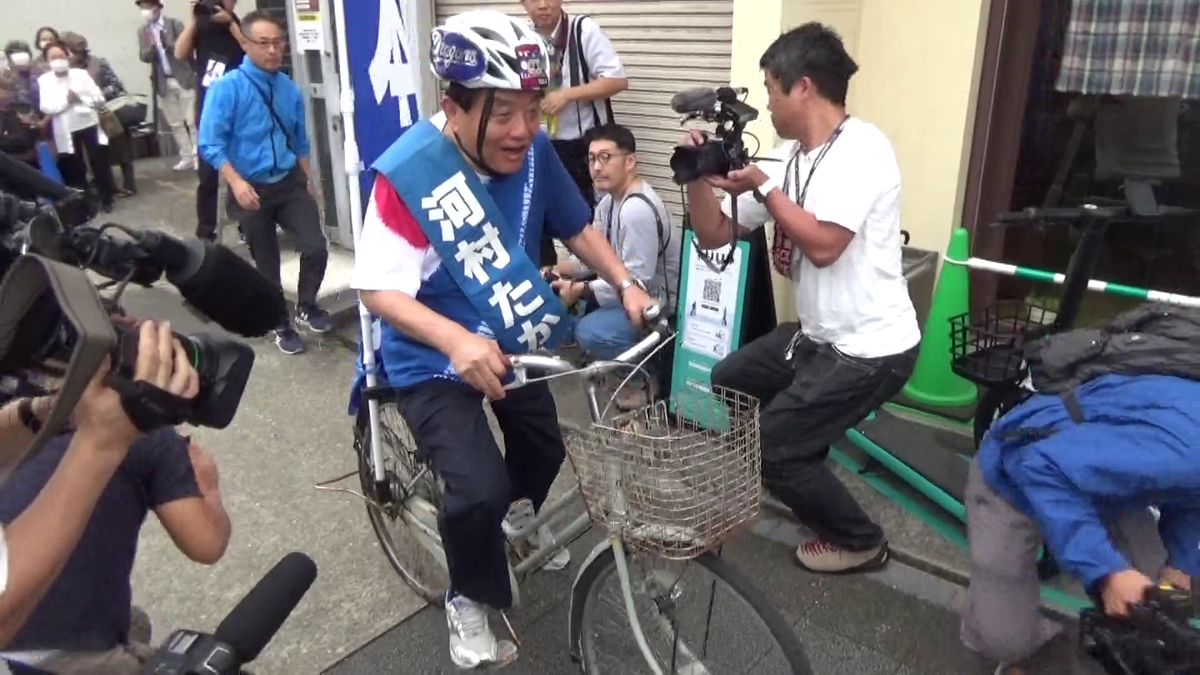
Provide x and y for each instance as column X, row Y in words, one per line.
column 861, row 303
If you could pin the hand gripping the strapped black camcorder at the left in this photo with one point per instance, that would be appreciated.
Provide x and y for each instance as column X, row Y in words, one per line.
column 161, row 361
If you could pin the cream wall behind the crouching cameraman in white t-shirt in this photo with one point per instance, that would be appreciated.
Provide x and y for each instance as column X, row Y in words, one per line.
column 917, row 81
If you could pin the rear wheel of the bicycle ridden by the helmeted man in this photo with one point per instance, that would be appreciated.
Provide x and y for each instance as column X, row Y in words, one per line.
column 412, row 553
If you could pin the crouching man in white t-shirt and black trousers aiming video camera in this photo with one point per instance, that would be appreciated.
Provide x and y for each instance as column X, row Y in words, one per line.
column 835, row 195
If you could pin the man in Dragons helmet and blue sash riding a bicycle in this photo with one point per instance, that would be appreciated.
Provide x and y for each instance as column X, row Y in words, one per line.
column 447, row 259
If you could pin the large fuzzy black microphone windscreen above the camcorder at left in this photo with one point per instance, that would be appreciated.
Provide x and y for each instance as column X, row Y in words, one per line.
column 219, row 284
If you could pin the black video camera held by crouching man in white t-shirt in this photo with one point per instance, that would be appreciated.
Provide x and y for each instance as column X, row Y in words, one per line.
column 727, row 152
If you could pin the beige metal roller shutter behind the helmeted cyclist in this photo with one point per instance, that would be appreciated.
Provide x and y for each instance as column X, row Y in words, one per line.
column 667, row 47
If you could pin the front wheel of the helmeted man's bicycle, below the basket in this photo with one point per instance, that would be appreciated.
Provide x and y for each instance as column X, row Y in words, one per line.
column 700, row 617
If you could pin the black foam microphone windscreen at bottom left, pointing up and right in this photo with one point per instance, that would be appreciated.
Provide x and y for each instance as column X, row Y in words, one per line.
column 259, row 617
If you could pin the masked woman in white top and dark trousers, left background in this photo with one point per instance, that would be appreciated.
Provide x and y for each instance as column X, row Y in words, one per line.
column 70, row 97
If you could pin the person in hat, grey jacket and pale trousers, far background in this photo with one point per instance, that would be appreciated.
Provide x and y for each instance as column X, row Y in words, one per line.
column 173, row 80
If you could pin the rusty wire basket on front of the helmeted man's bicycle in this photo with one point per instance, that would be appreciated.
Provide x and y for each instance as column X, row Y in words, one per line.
column 674, row 491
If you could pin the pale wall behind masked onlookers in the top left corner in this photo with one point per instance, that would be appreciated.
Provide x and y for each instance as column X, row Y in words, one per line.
column 110, row 26
